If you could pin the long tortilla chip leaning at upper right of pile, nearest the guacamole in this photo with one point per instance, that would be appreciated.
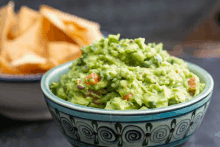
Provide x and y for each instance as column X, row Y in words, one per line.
column 82, row 31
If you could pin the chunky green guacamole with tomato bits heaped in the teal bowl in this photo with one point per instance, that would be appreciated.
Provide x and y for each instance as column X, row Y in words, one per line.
column 127, row 74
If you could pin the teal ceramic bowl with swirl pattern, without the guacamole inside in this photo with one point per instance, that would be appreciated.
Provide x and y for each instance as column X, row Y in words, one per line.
column 88, row 127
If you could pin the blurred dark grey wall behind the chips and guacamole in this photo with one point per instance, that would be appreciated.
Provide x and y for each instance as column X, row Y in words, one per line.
column 155, row 20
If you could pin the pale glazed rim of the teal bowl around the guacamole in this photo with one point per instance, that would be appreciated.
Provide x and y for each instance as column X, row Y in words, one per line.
column 49, row 74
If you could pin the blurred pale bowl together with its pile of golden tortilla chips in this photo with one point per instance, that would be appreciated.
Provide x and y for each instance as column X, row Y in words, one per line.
column 31, row 43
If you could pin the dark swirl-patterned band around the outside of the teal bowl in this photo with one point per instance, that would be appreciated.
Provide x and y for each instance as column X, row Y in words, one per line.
column 112, row 134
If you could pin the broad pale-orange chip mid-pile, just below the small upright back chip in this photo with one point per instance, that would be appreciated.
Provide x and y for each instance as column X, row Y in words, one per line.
column 30, row 41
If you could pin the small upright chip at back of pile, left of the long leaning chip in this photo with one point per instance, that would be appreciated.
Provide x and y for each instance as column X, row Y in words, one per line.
column 27, row 18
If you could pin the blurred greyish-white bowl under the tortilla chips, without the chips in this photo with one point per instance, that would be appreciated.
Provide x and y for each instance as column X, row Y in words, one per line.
column 21, row 97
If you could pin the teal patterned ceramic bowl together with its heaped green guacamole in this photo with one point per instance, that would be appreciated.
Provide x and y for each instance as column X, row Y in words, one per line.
column 125, row 92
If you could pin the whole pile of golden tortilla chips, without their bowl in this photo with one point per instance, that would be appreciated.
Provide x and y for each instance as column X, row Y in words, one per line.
column 34, row 43
